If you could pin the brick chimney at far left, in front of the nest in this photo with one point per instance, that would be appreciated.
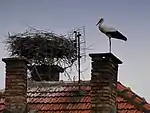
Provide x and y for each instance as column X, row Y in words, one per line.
column 16, row 85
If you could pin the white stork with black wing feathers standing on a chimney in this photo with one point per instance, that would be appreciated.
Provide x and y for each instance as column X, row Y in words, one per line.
column 110, row 32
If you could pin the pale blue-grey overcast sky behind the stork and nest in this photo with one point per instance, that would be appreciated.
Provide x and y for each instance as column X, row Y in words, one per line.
column 131, row 17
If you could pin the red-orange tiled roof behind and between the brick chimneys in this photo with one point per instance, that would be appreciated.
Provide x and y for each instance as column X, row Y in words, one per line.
column 60, row 97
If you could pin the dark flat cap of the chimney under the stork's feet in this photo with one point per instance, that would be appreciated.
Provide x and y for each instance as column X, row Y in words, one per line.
column 106, row 55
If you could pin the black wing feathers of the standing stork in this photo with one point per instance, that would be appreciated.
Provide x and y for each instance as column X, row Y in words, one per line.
column 117, row 35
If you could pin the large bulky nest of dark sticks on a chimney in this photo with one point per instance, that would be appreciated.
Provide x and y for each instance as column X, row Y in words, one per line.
column 42, row 47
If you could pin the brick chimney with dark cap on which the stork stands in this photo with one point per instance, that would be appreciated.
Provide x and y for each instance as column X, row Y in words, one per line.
column 103, row 82
